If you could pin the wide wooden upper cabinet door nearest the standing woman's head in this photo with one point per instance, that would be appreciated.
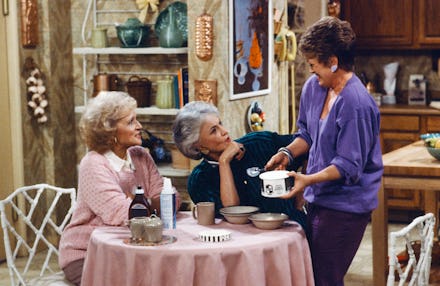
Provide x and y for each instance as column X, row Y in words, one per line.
column 380, row 23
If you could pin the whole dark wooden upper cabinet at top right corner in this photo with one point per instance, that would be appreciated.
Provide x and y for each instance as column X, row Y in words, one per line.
column 383, row 24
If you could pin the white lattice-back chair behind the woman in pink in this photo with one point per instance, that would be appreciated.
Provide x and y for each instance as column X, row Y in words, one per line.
column 33, row 218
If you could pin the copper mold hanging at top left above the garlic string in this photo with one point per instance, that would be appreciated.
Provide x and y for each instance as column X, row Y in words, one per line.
column 29, row 23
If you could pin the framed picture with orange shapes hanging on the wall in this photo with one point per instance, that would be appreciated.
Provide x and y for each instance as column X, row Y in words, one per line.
column 250, row 48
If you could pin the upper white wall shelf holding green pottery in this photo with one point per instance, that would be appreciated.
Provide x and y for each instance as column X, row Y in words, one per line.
column 129, row 51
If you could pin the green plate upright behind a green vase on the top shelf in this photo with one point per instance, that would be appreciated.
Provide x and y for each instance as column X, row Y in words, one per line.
column 180, row 10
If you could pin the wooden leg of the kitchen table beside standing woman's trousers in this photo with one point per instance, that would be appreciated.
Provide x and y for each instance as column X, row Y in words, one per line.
column 380, row 238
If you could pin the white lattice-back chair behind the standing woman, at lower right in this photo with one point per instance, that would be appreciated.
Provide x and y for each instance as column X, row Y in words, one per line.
column 418, row 267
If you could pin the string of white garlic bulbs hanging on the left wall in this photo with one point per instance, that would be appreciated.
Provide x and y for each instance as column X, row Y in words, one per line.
column 36, row 91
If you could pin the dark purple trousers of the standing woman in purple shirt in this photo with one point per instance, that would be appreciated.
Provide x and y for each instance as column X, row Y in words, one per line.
column 334, row 237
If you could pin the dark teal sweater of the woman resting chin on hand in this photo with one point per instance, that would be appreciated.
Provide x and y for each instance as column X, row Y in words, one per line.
column 204, row 181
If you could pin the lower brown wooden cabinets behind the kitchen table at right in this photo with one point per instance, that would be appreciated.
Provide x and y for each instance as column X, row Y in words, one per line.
column 400, row 126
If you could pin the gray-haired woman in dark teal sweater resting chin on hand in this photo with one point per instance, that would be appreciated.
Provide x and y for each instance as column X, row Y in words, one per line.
column 221, row 175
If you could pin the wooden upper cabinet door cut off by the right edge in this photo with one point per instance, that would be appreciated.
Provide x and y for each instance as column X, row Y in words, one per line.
column 428, row 20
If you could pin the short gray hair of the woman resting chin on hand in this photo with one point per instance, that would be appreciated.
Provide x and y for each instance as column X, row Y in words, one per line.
column 186, row 127
